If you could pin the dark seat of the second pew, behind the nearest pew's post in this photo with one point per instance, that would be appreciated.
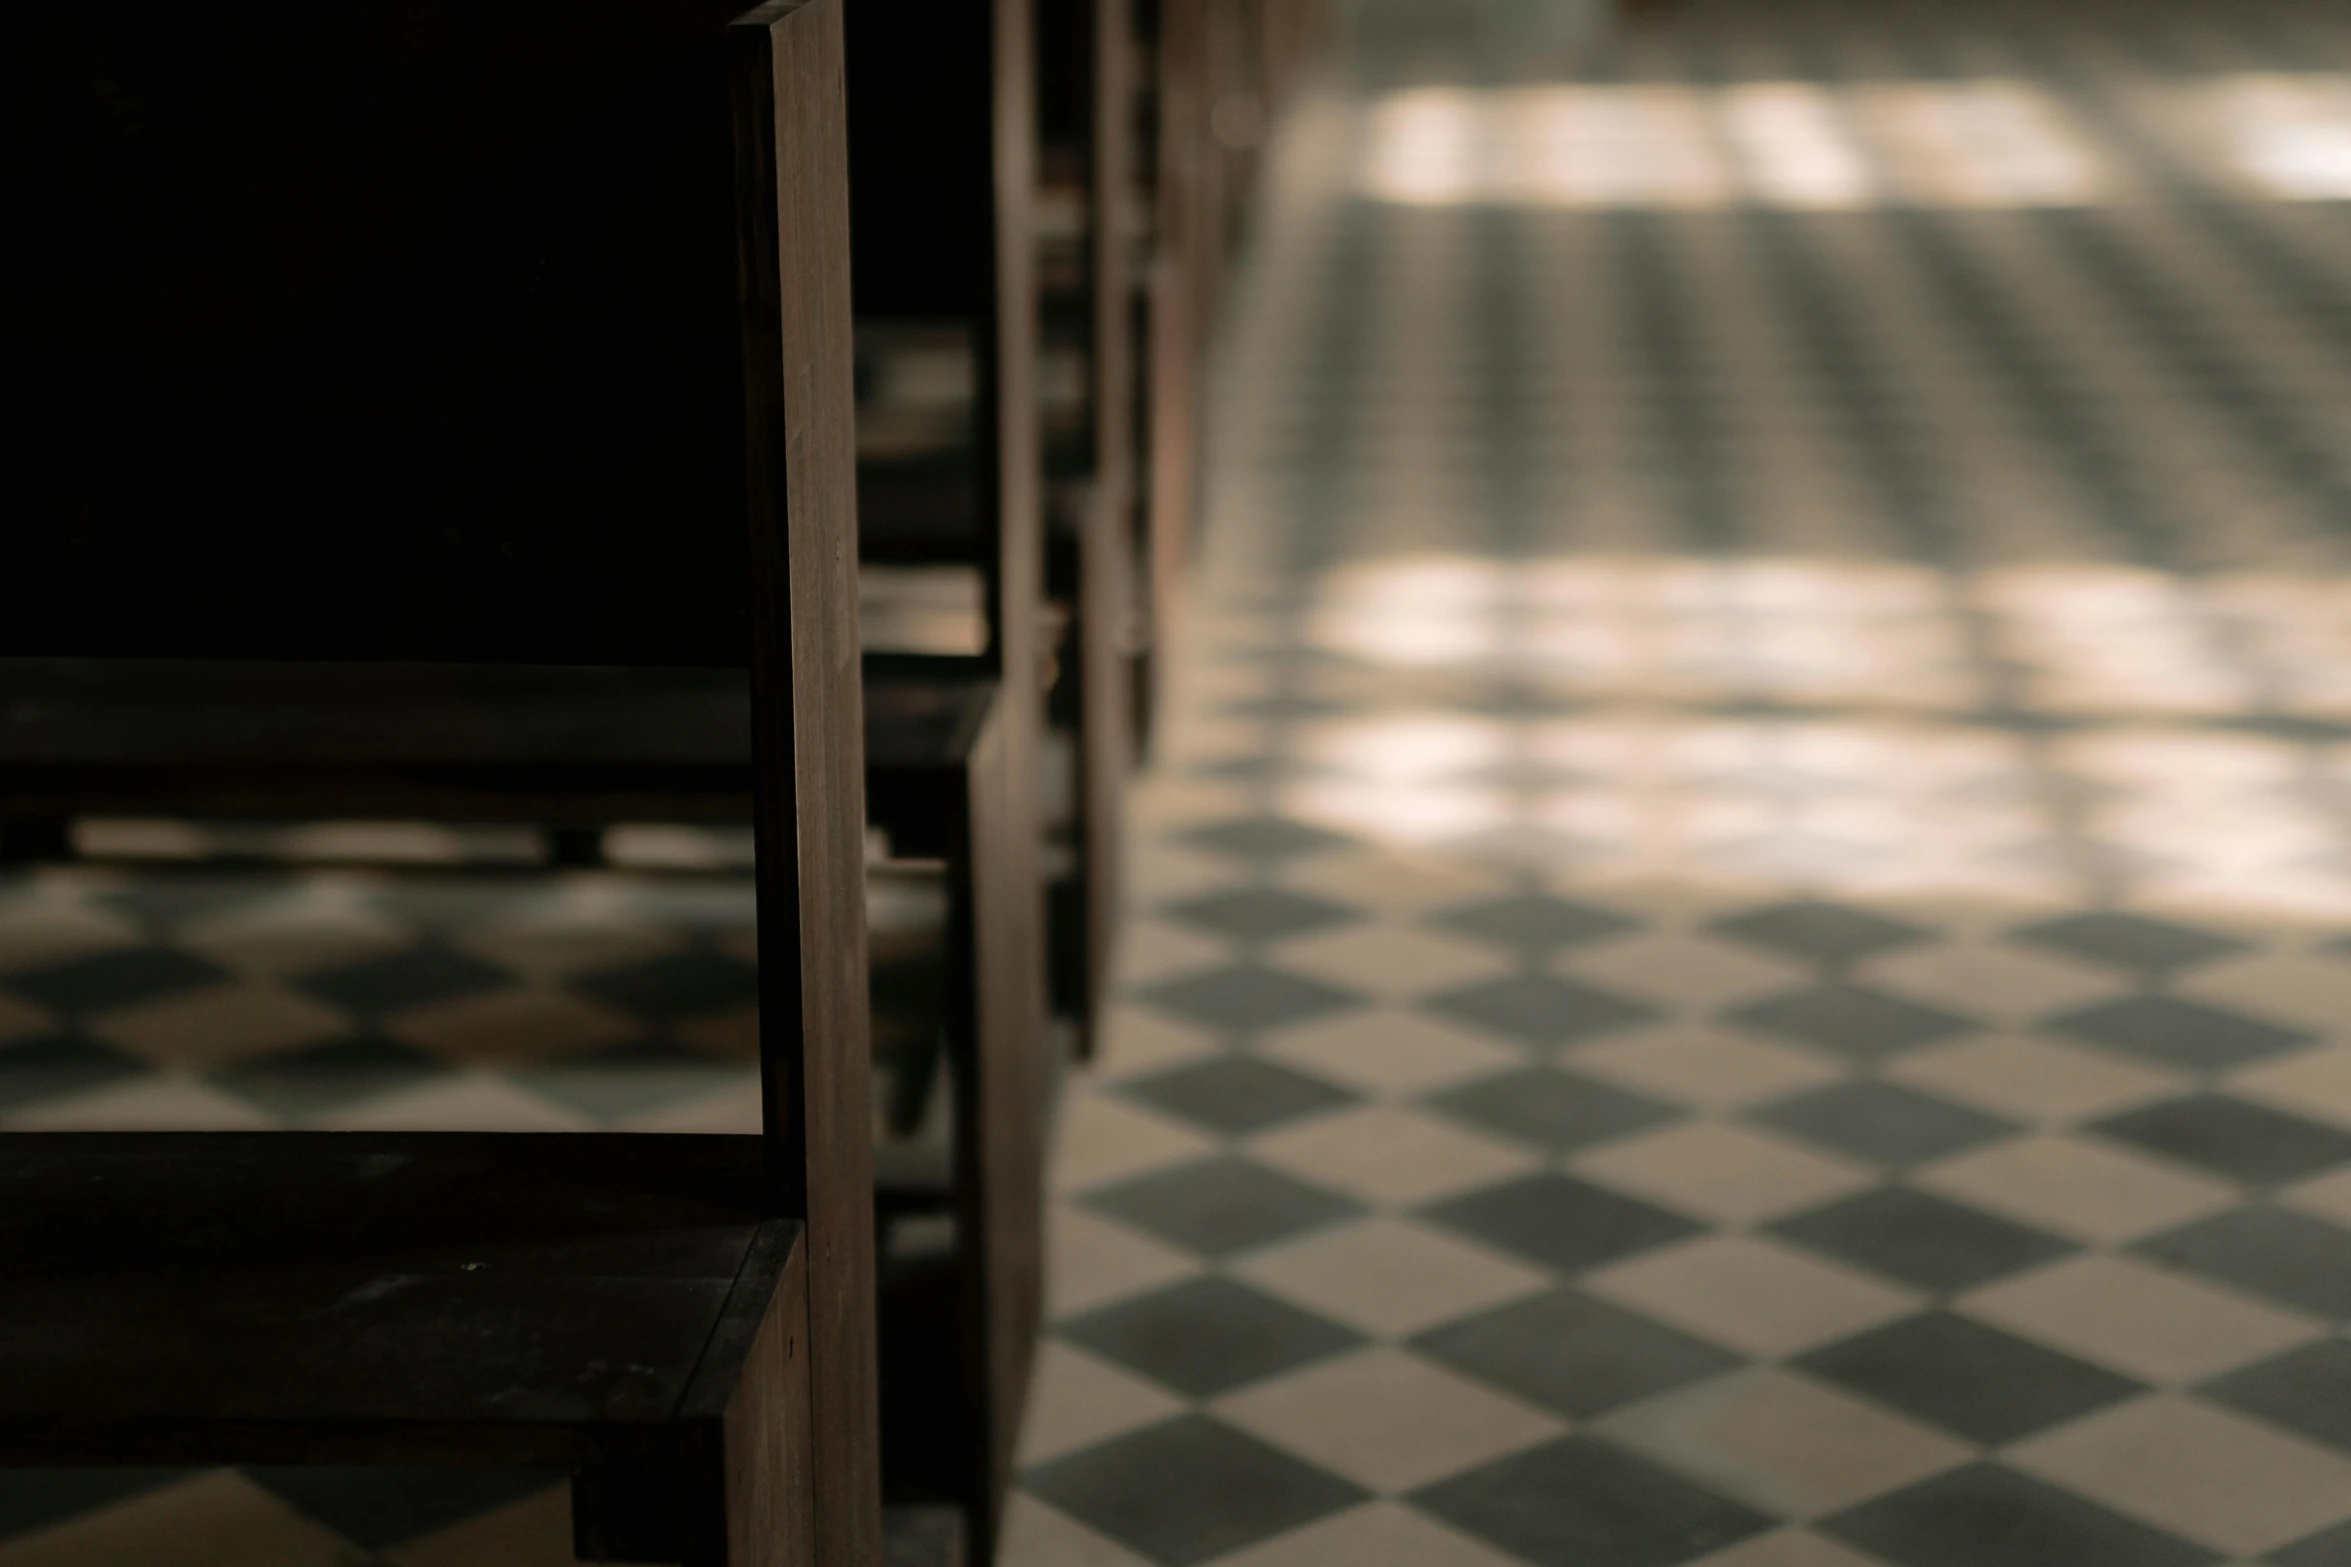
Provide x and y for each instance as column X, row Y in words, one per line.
column 495, row 744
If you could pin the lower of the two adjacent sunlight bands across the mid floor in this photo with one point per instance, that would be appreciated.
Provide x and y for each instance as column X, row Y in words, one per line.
column 1868, row 805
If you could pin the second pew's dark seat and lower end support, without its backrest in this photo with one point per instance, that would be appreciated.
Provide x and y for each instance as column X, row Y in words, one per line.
column 551, row 744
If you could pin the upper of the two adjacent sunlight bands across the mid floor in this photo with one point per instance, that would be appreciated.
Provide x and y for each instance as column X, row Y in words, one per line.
column 2077, row 640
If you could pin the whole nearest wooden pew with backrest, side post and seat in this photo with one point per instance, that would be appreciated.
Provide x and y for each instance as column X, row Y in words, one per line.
column 450, row 335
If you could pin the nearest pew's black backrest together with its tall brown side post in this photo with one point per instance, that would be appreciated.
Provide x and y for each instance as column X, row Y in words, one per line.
column 476, row 332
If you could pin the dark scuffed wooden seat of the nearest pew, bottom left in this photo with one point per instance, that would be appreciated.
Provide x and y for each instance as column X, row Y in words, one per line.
column 370, row 1298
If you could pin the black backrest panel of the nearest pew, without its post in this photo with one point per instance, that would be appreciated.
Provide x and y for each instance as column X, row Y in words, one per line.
column 403, row 330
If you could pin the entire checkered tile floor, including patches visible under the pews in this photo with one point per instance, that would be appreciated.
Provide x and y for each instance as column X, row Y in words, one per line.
column 1743, row 934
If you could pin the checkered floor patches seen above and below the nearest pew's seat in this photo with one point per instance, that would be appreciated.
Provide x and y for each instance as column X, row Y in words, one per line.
column 267, row 997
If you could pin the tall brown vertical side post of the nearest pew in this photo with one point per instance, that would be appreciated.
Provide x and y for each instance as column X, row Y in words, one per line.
column 808, row 727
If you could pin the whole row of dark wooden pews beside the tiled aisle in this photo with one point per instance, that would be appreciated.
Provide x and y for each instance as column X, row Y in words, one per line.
column 591, row 415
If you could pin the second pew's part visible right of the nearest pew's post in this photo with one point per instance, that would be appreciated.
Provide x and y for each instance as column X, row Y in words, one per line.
column 944, row 149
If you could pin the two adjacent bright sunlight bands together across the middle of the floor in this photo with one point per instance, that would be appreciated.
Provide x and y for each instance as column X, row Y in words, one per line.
column 1680, row 769
